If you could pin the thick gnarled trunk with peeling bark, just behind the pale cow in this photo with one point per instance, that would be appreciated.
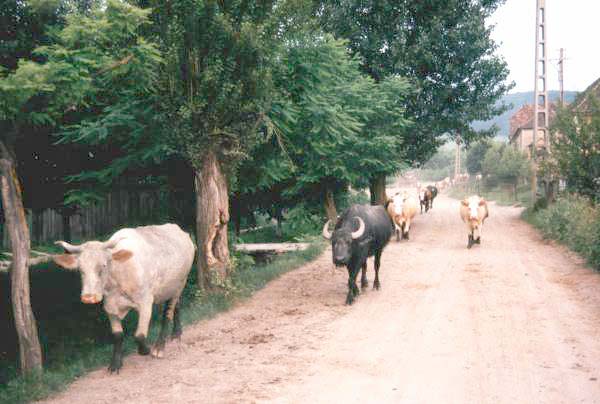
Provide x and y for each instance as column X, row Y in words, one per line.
column 212, row 216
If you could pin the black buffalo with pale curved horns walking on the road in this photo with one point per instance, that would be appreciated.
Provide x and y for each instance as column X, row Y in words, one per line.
column 362, row 231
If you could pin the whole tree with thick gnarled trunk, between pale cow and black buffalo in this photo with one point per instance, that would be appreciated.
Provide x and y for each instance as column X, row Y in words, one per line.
column 215, row 92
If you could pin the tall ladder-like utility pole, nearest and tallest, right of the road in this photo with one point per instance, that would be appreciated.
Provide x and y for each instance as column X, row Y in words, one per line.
column 540, row 102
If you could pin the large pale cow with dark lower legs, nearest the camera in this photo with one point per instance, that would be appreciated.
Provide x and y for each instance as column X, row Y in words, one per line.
column 134, row 269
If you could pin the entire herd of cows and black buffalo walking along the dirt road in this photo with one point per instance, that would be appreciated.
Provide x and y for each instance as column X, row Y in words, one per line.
column 139, row 267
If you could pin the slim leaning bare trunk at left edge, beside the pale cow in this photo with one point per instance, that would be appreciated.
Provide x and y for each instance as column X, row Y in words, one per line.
column 16, row 223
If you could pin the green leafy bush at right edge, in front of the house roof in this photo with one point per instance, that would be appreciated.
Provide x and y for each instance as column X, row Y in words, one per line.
column 575, row 149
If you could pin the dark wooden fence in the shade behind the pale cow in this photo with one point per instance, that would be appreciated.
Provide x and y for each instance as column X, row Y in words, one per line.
column 121, row 207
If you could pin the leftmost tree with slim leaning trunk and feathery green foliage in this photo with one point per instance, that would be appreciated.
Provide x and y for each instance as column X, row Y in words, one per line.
column 89, row 52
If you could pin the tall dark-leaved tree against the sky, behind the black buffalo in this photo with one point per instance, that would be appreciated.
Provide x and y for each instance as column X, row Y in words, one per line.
column 444, row 48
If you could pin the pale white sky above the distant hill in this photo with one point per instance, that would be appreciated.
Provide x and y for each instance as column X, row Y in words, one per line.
column 570, row 24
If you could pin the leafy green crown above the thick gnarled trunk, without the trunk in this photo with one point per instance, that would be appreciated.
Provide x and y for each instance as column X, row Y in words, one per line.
column 217, row 79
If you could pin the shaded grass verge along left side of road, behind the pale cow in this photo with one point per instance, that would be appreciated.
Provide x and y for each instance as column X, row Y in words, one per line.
column 76, row 338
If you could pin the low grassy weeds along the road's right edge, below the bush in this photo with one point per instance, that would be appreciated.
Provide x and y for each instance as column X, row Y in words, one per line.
column 572, row 220
